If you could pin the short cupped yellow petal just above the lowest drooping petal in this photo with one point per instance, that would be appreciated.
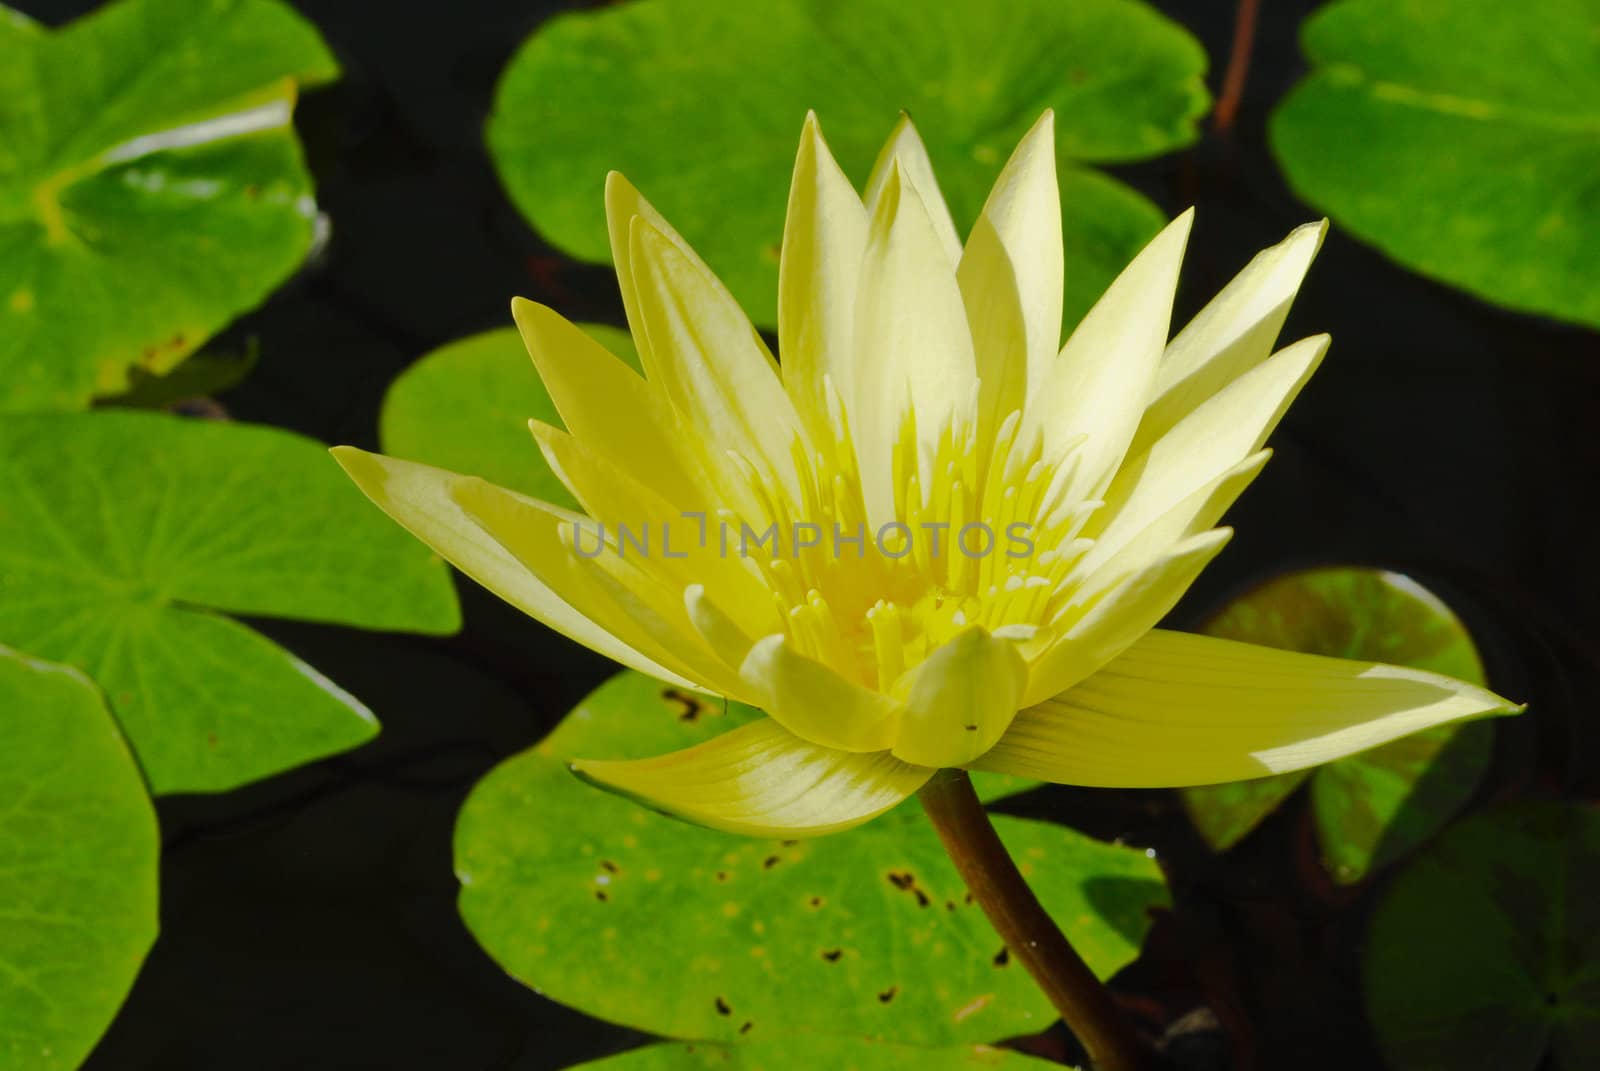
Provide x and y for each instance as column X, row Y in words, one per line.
column 815, row 702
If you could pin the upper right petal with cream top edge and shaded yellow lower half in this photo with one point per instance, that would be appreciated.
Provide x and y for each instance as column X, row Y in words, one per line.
column 1234, row 332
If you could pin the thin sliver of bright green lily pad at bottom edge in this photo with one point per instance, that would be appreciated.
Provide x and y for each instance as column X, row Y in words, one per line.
column 807, row 1054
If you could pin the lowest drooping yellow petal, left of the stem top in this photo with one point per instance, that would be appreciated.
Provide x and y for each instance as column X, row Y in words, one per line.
column 762, row 780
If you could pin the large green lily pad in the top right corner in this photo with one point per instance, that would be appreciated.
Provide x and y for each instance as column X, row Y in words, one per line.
column 1471, row 164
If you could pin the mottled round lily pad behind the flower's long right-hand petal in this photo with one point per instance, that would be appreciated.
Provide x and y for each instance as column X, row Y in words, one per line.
column 1377, row 806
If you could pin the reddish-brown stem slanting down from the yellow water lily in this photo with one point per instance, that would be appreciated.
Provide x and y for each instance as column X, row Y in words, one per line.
column 1033, row 937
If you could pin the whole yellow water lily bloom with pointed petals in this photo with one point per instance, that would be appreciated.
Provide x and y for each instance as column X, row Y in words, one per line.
column 932, row 537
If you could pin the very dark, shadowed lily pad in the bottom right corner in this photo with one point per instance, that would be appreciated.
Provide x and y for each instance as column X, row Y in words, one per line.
column 1486, row 952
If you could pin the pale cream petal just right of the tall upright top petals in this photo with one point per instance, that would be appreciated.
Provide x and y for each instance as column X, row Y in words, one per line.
column 1103, row 379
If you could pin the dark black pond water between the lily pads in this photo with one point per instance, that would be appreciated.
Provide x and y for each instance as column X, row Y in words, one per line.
column 310, row 921
